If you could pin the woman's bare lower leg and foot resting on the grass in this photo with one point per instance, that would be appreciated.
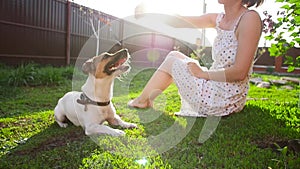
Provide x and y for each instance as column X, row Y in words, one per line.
column 159, row 81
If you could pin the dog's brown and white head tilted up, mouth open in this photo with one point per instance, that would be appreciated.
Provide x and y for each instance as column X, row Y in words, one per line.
column 107, row 64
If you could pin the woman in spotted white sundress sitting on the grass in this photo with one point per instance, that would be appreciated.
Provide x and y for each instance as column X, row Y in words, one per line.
column 223, row 88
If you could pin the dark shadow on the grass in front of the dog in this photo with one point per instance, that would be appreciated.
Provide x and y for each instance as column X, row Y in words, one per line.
column 54, row 147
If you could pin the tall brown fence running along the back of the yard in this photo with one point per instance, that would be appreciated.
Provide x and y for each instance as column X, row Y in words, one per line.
column 56, row 31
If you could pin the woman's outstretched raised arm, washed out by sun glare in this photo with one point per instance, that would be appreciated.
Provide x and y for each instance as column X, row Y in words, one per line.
column 203, row 21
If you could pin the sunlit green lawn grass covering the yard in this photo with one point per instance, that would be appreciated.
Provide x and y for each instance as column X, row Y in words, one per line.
column 29, row 137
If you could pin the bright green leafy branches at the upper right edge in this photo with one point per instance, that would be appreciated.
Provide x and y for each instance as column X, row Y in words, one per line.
column 285, row 31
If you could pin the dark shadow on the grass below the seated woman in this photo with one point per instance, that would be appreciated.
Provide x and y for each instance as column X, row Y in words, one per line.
column 236, row 143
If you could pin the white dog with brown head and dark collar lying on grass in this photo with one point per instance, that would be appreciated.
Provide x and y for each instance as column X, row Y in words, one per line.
column 91, row 107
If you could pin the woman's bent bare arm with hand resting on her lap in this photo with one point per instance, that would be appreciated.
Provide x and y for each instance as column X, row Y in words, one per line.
column 248, row 34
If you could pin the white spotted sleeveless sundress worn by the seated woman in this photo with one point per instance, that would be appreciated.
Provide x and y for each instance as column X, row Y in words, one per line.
column 202, row 98
